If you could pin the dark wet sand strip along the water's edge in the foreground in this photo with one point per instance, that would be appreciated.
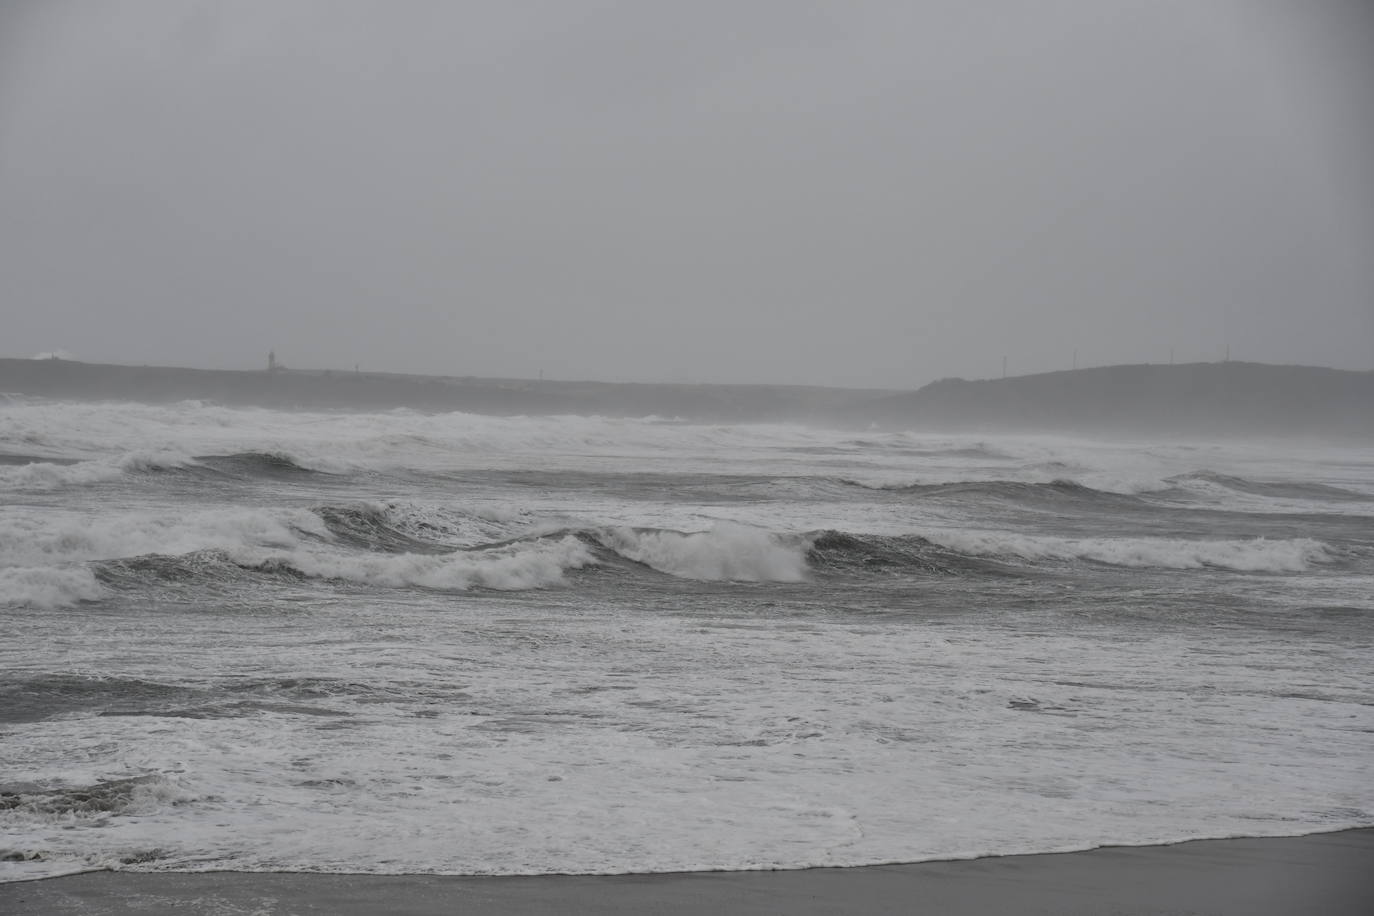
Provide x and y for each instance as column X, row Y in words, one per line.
column 1325, row 874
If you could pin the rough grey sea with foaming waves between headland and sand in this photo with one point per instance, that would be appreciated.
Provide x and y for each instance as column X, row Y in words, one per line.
column 244, row 639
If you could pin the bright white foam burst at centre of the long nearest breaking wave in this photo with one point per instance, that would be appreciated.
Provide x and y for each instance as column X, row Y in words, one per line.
column 726, row 553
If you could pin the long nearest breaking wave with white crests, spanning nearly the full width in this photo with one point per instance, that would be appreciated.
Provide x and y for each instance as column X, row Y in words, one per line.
column 723, row 554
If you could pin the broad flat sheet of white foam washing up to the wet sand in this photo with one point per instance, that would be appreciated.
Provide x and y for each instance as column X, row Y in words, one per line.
column 527, row 744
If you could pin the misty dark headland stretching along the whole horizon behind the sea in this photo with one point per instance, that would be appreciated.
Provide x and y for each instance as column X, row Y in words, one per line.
column 1202, row 399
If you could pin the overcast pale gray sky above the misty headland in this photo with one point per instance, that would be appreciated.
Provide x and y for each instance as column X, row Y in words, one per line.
column 866, row 194
